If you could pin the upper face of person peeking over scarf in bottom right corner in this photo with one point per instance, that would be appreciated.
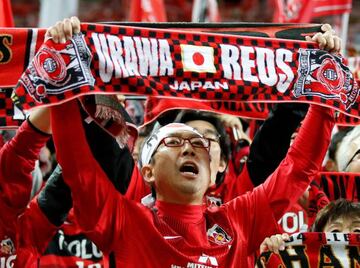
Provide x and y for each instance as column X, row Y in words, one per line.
column 343, row 225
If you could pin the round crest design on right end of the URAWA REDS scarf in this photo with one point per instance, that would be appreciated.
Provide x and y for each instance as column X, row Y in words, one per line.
column 324, row 75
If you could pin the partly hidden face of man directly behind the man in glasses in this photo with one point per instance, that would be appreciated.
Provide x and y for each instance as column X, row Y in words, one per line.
column 217, row 164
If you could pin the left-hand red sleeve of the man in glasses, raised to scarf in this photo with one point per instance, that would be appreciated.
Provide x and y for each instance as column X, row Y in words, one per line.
column 94, row 196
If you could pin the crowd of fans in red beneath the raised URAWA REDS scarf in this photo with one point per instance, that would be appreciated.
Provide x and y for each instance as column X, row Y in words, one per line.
column 208, row 189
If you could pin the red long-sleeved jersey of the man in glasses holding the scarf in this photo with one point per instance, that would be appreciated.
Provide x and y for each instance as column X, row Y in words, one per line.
column 166, row 236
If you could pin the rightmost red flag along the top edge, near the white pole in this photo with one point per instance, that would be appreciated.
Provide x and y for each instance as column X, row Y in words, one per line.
column 324, row 8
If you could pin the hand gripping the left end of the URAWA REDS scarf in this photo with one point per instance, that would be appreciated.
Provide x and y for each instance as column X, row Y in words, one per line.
column 63, row 30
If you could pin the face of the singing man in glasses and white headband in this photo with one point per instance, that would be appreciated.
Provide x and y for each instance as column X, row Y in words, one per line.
column 179, row 174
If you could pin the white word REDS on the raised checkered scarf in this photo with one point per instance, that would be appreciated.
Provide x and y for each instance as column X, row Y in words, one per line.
column 241, row 62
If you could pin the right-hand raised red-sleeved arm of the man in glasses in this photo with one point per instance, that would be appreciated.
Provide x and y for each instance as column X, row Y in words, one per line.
column 302, row 162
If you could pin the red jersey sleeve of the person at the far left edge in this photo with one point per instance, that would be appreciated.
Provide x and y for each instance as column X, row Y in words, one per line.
column 17, row 161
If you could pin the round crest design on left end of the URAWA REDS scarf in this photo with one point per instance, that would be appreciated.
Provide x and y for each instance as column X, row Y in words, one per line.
column 55, row 71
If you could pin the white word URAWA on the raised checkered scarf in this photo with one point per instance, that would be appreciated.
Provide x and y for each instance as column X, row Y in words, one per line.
column 132, row 56
